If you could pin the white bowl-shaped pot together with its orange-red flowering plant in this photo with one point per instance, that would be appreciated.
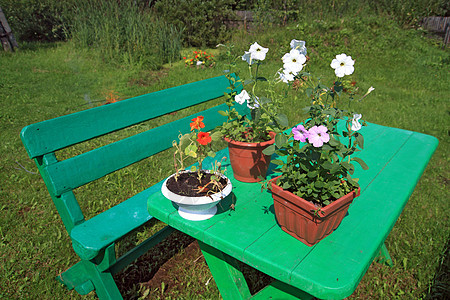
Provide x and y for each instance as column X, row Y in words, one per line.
column 197, row 191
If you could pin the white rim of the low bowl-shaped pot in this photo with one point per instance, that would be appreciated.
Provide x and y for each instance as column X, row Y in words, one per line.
column 199, row 200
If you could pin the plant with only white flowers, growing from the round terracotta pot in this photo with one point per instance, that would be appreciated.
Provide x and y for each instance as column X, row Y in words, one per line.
column 259, row 94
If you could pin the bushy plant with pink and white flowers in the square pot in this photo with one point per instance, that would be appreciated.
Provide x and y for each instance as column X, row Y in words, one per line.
column 319, row 161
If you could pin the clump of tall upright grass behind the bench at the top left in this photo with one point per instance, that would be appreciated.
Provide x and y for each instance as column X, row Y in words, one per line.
column 123, row 33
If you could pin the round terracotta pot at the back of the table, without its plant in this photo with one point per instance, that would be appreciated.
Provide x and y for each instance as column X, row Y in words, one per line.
column 248, row 161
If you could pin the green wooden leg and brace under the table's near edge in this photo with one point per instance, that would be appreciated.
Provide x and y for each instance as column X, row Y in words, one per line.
column 232, row 284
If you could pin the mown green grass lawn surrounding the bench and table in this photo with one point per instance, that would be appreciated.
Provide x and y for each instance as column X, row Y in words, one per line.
column 408, row 70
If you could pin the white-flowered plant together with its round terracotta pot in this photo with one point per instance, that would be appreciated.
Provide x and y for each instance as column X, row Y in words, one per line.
column 248, row 137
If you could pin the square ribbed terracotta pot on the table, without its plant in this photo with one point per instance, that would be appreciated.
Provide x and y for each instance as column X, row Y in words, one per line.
column 296, row 215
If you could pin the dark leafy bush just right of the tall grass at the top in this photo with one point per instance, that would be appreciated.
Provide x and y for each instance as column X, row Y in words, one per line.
column 203, row 20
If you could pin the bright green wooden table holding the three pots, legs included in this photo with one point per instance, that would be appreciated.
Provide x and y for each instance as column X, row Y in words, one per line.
column 332, row 268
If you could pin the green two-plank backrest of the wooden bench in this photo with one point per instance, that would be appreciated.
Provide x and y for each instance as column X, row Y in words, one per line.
column 42, row 139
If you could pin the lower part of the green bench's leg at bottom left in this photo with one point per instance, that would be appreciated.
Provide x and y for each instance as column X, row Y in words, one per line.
column 84, row 277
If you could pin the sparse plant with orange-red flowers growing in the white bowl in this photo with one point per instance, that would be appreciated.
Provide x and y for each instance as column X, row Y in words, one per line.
column 198, row 145
